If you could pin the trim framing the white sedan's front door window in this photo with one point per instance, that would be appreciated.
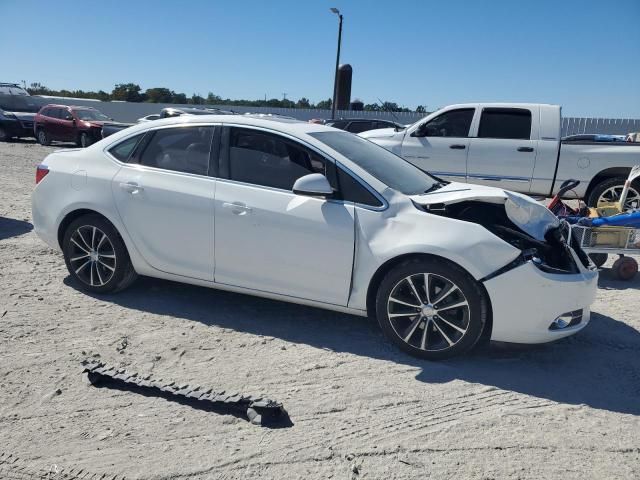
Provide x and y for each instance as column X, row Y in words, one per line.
column 224, row 165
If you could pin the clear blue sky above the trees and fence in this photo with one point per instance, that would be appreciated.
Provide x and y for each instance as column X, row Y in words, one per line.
column 580, row 54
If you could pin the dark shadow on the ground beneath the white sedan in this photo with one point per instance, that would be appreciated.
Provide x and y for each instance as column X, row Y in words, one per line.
column 597, row 367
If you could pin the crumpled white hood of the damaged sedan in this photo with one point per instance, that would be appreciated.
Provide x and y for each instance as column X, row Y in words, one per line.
column 530, row 216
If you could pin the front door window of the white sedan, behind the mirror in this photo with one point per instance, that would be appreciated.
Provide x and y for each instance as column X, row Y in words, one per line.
column 269, row 160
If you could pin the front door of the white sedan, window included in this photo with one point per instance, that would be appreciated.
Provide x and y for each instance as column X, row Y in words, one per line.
column 269, row 239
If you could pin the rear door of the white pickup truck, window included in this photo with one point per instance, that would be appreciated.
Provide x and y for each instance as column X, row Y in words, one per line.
column 503, row 151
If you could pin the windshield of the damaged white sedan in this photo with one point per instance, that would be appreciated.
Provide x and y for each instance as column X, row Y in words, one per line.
column 387, row 167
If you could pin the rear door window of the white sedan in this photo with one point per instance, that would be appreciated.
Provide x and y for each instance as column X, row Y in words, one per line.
column 181, row 149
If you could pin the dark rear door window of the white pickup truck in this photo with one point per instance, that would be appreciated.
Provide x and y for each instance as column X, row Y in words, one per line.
column 512, row 123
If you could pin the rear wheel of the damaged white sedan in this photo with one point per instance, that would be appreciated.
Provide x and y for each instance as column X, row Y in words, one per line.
column 97, row 264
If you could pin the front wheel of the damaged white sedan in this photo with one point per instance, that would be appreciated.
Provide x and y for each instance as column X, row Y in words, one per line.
column 447, row 335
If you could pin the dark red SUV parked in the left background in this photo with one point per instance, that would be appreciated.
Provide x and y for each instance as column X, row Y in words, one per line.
column 82, row 125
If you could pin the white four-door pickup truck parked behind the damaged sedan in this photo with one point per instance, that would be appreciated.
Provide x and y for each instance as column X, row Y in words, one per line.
column 514, row 146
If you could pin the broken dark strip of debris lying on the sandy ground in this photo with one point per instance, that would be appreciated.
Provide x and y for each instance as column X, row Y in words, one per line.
column 258, row 410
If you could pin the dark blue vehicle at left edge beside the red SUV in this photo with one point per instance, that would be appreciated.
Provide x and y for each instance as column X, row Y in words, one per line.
column 17, row 112
